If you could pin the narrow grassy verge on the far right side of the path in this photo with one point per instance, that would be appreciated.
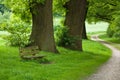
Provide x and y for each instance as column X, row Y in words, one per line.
column 115, row 42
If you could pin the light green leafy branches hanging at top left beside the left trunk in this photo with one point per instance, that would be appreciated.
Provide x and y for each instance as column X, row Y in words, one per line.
column 21, row 8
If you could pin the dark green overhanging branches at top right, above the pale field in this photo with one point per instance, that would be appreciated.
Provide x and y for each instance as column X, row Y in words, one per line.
column 103, row 10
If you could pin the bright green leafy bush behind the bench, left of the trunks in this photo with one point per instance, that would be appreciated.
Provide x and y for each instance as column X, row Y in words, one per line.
column 19, row 32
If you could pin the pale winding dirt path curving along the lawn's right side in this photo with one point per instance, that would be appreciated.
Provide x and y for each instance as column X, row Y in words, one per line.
column 111, row 69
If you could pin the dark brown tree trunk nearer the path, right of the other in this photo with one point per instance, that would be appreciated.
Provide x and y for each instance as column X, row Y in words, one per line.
column 75, row 20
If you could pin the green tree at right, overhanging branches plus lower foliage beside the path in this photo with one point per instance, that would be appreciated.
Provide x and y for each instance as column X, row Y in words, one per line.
column 108, row 11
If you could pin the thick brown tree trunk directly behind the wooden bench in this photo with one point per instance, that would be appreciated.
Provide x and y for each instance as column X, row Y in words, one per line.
column 42, row 26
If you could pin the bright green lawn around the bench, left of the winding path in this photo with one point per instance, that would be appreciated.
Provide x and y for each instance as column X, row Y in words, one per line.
column 68, row 65
